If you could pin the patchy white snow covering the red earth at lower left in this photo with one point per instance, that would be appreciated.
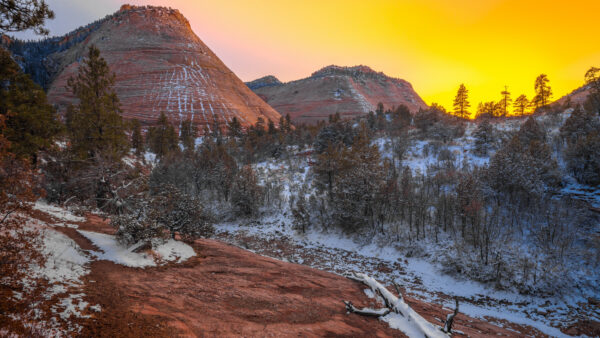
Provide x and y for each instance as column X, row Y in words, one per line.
column 66, row 265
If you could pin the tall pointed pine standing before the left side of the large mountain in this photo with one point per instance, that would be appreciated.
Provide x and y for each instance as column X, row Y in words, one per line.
column 95, row 125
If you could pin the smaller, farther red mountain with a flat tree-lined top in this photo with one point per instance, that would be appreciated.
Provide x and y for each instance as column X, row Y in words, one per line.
column 351, row 91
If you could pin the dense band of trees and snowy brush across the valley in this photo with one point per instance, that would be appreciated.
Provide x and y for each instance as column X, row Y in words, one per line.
column 504, row 221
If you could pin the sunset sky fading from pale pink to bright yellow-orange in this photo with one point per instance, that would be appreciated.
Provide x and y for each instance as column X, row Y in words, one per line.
column 434, row 44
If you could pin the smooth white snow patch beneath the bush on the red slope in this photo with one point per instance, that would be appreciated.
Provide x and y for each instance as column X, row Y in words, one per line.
column 113, row 251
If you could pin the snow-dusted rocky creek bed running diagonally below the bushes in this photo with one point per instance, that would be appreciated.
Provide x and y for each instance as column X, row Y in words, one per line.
column 337, row 253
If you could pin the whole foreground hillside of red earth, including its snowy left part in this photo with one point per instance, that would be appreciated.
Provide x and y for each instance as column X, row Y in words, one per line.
column 219, row 290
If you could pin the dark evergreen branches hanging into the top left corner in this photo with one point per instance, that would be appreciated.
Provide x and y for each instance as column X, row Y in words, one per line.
column 20, row 15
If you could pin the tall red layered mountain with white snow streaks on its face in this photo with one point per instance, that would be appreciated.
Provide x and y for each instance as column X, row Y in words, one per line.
column 160, row 66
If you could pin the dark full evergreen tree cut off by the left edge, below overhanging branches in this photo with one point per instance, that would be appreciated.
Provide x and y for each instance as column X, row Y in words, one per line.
column 31, row 122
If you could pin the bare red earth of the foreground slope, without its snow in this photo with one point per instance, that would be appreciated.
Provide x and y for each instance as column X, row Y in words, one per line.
column 226, row 291
